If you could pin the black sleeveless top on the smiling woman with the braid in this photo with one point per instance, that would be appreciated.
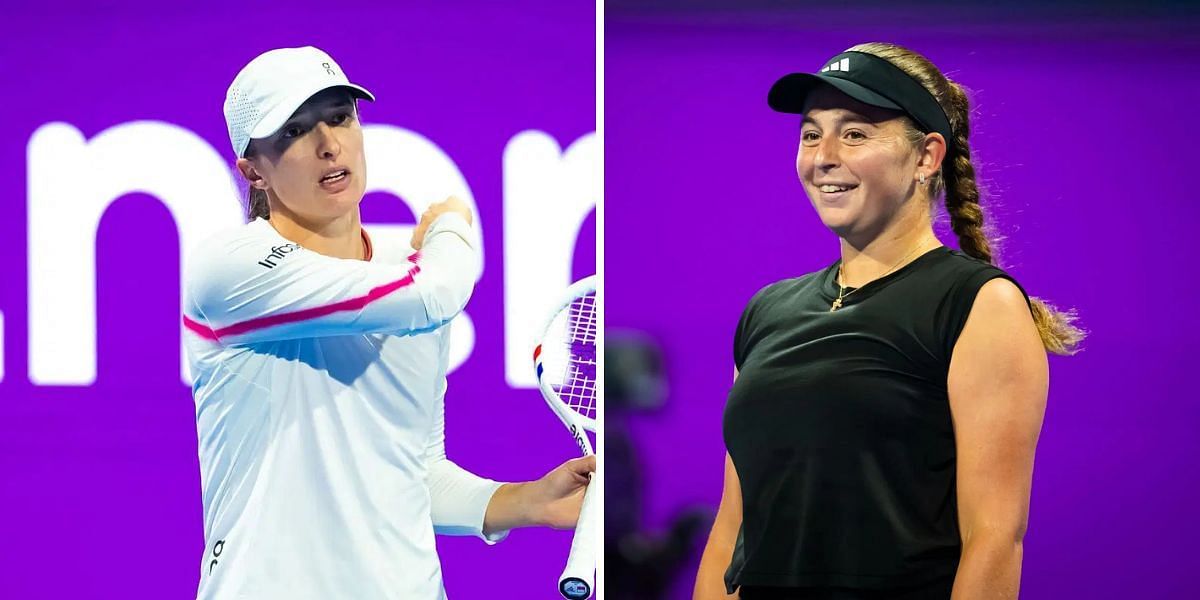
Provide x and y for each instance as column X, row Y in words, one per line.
column 839, row 427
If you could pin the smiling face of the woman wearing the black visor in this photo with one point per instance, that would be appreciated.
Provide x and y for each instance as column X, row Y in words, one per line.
column 856, row 164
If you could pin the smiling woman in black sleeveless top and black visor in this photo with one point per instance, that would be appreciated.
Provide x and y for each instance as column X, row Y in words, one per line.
column 885, row 413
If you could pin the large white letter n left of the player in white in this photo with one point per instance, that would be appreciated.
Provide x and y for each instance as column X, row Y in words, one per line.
column 71, row 184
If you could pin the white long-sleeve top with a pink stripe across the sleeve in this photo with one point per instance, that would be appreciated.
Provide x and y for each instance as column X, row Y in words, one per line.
column 320, row 389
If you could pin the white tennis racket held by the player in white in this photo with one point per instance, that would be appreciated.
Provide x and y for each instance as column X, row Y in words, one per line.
column 566, row 362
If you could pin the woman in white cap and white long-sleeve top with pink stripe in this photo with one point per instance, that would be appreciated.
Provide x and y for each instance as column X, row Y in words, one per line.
column 320, row 362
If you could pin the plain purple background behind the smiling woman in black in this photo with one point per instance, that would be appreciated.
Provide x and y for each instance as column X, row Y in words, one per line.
column 1084, row 130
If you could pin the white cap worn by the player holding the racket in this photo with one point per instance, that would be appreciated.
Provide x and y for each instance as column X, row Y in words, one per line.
column 271, row 89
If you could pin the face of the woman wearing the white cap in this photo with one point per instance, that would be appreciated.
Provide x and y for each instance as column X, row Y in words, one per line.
column 301, row 164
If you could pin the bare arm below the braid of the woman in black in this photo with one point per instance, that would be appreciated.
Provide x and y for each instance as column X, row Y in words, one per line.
column 998, row 387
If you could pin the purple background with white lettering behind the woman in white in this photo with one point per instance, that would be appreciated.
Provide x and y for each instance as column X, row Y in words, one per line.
column 100, row 491
